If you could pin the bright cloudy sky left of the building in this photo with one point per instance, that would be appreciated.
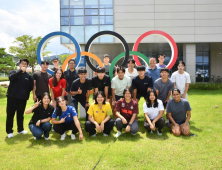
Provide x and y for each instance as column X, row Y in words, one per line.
column 30, row 17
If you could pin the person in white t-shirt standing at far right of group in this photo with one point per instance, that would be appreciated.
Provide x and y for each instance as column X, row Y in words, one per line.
column 181, row 80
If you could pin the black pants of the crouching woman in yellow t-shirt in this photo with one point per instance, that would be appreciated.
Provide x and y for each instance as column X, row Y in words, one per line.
column 91, row 128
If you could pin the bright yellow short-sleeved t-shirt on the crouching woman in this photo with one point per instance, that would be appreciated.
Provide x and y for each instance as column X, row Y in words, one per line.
column 100, row 114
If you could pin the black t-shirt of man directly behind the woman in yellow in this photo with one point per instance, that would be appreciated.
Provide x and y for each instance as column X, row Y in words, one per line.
column 101, row 84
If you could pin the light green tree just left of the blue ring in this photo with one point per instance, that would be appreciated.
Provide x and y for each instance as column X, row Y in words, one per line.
column 26, row 48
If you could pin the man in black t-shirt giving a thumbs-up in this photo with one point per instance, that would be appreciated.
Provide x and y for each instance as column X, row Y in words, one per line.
column 80, row 90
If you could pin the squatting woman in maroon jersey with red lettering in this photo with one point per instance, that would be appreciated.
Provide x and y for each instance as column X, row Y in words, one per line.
column 126, row 111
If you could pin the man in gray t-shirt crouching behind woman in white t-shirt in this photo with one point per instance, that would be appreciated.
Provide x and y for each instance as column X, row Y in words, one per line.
column 164, row 86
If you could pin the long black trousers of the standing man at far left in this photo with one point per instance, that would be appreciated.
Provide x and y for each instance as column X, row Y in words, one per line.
column 14, row 105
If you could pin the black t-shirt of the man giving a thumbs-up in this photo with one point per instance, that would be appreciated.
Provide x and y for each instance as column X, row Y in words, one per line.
column 87, row 85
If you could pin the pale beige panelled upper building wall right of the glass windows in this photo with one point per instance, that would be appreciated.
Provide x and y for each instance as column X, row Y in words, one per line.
column 186, row 21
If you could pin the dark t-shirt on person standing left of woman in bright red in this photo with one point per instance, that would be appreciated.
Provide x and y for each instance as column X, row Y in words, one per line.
column 42, row 82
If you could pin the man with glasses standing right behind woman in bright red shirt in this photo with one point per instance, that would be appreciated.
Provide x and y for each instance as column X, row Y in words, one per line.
column 70, row 76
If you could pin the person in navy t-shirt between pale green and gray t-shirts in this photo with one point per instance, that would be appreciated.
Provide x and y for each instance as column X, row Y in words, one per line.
column 141, row 84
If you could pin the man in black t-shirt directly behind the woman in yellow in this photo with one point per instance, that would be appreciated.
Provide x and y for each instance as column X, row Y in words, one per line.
column 101, row 82
